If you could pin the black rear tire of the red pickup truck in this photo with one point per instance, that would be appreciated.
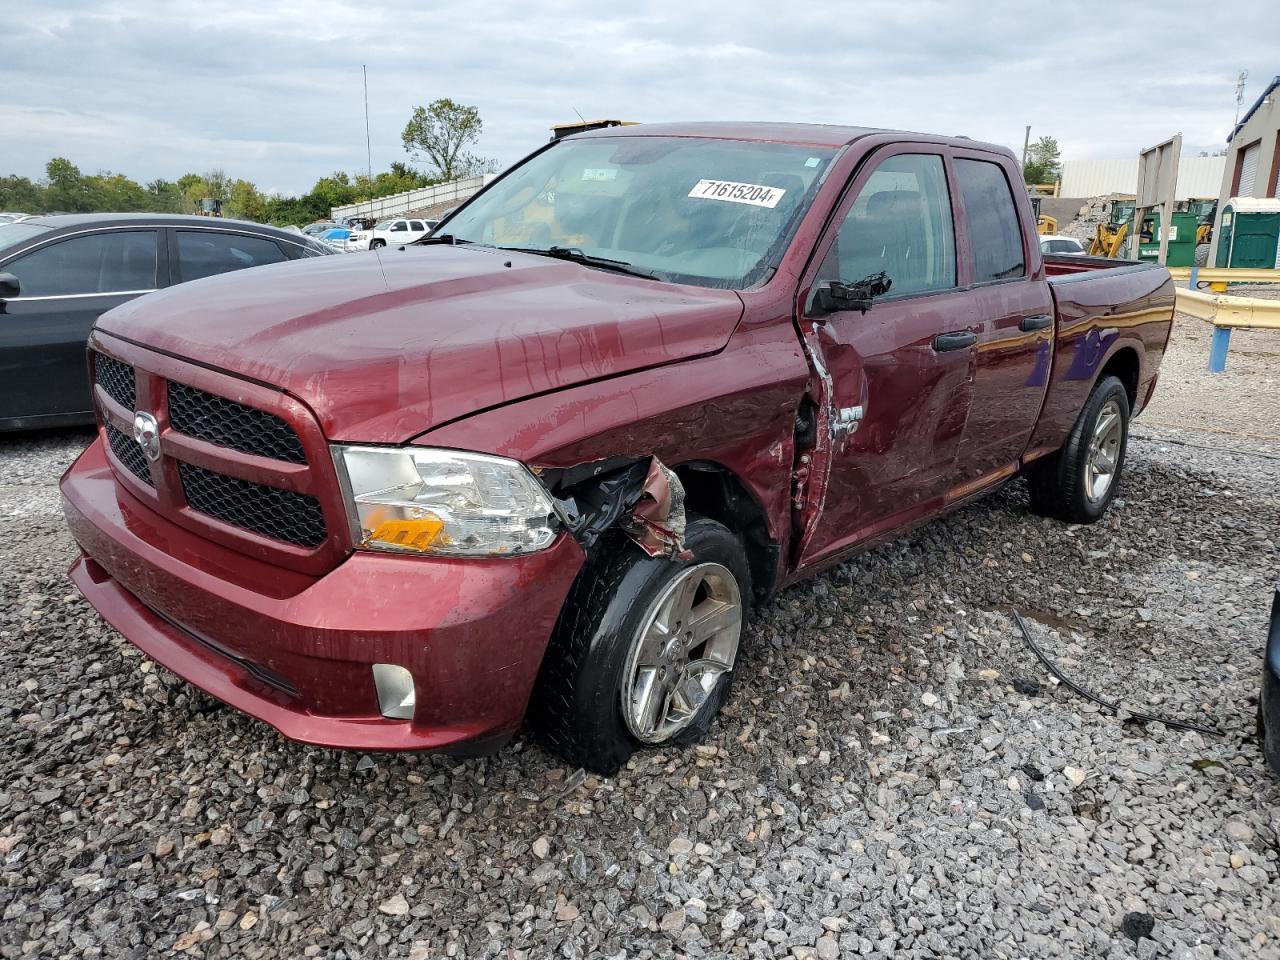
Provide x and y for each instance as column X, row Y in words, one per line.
column 1063, row 486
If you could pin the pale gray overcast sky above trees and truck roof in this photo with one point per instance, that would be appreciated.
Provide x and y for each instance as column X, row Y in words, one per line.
column 272, row 90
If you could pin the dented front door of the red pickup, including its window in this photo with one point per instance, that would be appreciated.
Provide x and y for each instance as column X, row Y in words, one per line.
column 894, row 368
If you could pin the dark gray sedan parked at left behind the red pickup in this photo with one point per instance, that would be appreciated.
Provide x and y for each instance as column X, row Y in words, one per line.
column 58, row 275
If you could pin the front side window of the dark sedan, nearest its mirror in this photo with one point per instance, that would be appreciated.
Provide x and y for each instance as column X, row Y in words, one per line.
column 117, row 262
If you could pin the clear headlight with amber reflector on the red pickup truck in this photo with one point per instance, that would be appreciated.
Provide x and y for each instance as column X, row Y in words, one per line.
column 444, row 502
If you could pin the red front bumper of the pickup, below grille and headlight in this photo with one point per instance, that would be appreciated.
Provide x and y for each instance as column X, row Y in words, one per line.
column 298, row 652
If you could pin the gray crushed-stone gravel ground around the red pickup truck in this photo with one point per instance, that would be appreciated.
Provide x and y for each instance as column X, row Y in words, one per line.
column 895, row 776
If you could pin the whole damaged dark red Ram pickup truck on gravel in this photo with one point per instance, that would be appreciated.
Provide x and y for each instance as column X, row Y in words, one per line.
column 542, row 465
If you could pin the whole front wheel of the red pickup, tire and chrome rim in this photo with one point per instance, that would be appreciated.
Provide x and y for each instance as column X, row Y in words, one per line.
column 644, row 651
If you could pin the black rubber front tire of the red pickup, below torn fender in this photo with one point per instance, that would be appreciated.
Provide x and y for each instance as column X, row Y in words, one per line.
column 578, row 702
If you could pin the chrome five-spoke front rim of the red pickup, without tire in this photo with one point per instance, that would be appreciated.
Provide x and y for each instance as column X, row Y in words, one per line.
column 688, row 641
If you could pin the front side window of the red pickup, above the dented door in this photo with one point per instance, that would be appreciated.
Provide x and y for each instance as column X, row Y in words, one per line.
column 899, row 225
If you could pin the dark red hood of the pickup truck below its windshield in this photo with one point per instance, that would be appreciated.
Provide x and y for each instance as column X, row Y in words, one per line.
column 386, row 346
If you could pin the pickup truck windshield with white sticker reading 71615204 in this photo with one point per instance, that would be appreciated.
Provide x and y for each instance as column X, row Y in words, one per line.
column 716, row 213
